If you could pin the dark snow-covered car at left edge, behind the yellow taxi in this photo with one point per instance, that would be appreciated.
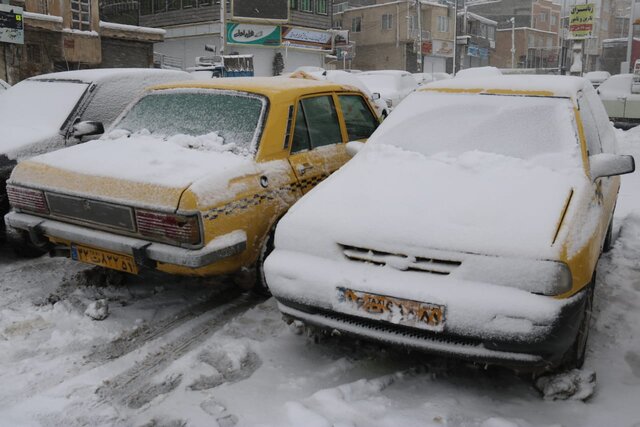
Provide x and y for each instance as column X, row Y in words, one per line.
column 52, row 111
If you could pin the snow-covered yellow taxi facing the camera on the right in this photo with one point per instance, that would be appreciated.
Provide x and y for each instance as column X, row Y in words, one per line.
column 470, row 224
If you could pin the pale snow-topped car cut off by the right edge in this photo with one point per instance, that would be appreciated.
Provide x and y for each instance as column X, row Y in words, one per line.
column 620, row 101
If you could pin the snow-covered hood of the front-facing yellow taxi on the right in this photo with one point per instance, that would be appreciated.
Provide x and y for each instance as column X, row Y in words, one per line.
column 388, row 198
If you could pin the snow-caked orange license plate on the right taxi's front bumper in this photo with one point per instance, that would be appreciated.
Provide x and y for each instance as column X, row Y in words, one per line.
column 394, row 310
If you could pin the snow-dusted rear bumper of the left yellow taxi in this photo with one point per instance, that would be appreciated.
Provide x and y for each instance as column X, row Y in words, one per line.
column 143, row 251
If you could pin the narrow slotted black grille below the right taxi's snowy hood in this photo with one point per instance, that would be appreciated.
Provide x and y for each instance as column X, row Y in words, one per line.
column 401, row 261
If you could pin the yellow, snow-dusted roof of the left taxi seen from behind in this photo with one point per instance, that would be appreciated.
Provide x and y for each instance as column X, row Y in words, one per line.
column 267, row 86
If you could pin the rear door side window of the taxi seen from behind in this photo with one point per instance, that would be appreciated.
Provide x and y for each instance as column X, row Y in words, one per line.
column 316, row 124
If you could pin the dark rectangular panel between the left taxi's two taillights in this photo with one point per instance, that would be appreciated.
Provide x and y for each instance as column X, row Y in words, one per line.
column 87, row 210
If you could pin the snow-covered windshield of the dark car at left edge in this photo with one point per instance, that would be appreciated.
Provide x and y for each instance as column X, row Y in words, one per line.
column 40, row 104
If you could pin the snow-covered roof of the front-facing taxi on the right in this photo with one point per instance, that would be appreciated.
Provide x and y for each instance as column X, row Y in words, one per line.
column 532, row 85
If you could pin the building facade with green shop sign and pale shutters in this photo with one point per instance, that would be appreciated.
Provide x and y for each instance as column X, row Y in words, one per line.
column 194, row 29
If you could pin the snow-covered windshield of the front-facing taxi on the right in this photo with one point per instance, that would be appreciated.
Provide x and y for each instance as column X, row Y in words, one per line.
column 525, row 127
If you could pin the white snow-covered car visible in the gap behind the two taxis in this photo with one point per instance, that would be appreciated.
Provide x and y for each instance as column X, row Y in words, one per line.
column 391, row 85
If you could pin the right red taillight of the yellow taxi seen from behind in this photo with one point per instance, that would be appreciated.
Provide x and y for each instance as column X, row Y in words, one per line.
column 171, row 227
